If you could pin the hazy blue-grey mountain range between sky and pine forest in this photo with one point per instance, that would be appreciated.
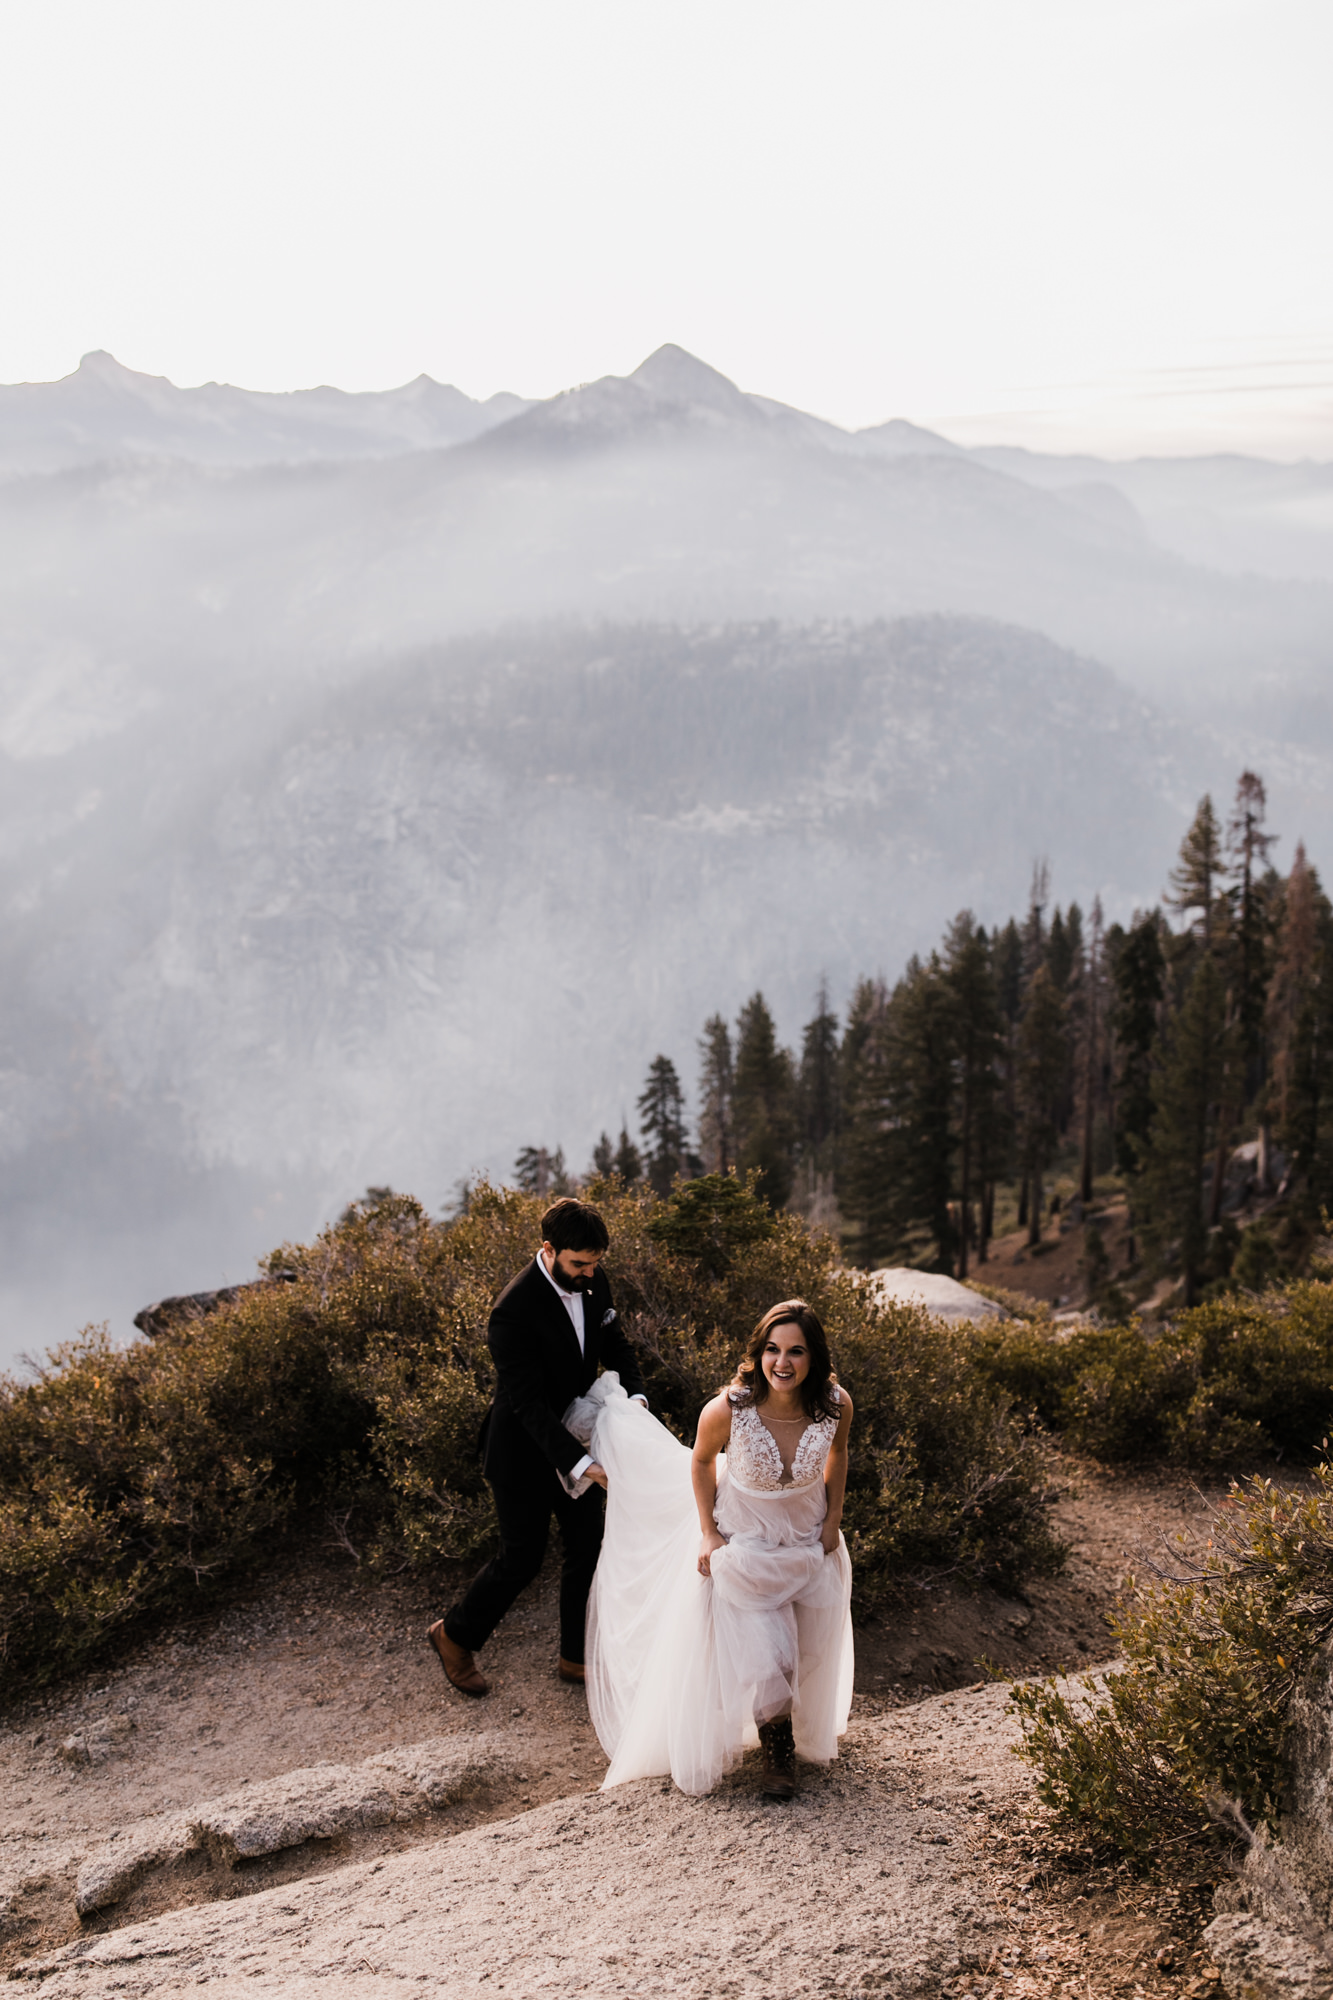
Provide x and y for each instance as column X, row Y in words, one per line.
column 387, row 779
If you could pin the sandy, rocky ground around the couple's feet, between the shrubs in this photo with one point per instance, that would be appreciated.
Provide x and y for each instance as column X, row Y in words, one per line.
column 317, row 1663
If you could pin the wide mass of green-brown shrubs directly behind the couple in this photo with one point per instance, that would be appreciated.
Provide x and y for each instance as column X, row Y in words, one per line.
column 133, row 1477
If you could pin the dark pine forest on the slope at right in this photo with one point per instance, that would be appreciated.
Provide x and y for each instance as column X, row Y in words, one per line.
column 1188, row 1051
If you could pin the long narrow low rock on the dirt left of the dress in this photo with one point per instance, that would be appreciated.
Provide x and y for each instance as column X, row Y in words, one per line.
column 305, row 1805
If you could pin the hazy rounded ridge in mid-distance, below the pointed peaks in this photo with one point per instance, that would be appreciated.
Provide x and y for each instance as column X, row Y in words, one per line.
column 269, row 951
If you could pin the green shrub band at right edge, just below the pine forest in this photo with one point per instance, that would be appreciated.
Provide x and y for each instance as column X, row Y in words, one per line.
column 1226, row 1381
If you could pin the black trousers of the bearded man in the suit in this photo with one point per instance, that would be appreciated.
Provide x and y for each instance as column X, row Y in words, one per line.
column 525, row 1523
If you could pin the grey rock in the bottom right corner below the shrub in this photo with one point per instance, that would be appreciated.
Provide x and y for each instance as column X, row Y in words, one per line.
column 1274, row 1935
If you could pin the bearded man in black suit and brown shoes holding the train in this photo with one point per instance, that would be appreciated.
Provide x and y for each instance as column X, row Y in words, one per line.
column 551, row 1329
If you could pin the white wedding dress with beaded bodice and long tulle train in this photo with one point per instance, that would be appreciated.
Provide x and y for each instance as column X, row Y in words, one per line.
column 682, row 1669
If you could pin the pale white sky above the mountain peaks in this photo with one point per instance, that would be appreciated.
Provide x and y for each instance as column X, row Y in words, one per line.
column 1068, row 223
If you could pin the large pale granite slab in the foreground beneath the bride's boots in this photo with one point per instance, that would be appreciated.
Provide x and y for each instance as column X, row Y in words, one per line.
column 605, row 1895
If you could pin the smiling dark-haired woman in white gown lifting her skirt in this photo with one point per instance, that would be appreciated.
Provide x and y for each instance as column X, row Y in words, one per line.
column 702, row 1647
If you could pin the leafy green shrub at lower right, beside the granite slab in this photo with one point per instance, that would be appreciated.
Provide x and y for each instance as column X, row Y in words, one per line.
column 1214, row 1653
